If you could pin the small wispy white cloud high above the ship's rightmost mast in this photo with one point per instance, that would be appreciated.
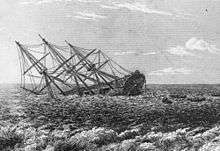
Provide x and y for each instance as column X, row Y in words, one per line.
column 88, row 16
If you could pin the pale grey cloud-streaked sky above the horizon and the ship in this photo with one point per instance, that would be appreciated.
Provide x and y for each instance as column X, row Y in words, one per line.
column 170, row 41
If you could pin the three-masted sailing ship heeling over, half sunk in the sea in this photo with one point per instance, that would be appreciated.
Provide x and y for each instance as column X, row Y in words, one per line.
column 52, row 69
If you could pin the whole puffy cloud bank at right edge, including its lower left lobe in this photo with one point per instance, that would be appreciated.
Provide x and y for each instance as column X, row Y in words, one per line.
column 191, row 46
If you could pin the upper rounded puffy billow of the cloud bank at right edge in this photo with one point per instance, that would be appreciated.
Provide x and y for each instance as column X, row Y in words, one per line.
column 201, row 45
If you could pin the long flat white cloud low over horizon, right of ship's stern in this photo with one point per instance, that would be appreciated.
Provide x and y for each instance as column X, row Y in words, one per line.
column 171, row 71
